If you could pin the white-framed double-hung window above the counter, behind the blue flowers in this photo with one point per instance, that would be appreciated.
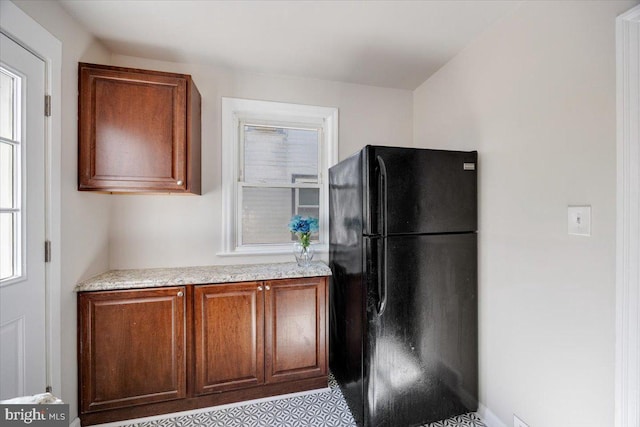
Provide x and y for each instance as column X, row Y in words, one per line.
column 275, row 159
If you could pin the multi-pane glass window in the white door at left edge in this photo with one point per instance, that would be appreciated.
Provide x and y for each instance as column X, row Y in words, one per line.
column 10, row 177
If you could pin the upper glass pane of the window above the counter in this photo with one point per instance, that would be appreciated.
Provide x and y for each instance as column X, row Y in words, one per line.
column 280, row 155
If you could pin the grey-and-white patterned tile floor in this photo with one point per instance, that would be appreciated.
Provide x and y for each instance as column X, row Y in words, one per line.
column 321, row 409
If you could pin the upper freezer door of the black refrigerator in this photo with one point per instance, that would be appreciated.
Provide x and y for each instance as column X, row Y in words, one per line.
column 427, row 191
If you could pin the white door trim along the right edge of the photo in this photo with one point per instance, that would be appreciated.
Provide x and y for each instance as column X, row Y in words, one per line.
column 627, row 375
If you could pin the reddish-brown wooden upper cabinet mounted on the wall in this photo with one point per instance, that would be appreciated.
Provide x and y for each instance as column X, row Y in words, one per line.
column 138, row 131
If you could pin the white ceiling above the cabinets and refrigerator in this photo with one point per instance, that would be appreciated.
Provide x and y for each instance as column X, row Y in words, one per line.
column 396, row 44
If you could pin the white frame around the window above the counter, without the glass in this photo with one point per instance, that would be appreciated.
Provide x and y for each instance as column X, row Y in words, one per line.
column 236, row 111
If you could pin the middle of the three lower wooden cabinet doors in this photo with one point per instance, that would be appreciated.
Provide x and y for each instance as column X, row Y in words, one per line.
column 229, row 336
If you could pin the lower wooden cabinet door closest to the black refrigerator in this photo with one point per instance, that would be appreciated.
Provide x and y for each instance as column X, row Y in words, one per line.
column 295, row 330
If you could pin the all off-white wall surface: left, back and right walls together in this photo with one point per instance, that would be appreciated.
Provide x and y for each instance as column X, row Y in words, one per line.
column 535, row 95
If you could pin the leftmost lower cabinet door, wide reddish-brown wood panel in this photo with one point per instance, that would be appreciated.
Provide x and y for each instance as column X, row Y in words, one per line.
column 132, row 347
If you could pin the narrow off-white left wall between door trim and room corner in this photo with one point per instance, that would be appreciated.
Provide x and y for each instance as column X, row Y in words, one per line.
column 85, row 216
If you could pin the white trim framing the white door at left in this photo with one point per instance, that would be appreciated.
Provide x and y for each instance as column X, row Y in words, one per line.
column 24, row 30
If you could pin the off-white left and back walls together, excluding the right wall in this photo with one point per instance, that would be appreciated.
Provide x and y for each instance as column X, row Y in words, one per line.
column 100, row 232
